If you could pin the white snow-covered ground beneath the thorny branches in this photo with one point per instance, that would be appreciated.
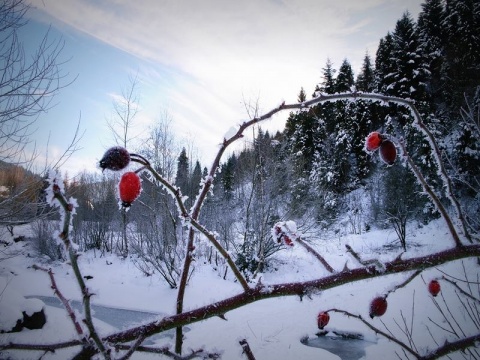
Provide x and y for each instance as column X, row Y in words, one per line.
column 274, row 327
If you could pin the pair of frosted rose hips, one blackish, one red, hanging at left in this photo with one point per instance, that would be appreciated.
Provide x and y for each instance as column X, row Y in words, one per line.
column 129, row 188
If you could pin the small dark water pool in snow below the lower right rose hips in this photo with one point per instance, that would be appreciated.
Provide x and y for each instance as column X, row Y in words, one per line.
column 346, row 349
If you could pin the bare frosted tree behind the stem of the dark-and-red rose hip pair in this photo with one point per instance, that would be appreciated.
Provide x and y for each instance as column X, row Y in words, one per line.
column 157, row 241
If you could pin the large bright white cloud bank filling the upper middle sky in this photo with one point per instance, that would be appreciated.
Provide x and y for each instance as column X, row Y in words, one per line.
column 219, row 52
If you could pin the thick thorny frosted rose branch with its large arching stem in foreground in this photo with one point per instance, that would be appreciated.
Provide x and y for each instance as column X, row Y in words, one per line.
column 370, row 269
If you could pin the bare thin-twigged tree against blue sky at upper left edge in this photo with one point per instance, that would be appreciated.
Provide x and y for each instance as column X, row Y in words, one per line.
column 28, row 82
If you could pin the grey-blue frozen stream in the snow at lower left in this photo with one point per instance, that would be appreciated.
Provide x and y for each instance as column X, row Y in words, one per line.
column 118, row 318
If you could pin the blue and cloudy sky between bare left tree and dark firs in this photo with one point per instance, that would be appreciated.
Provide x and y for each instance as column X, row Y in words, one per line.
column 204, row 63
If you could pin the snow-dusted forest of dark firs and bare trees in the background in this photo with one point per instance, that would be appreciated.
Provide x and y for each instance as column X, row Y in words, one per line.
column 316, row 171
